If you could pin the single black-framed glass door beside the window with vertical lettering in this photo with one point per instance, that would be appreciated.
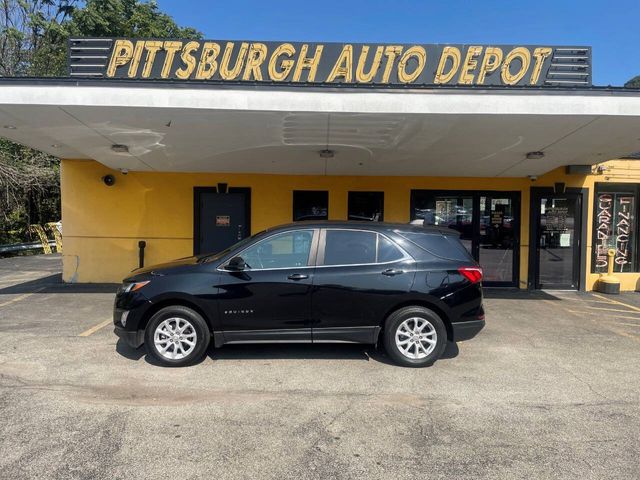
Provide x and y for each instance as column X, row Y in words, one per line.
column 558, row 241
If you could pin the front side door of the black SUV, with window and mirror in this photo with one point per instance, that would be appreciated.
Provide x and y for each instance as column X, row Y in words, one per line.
column 271, row 298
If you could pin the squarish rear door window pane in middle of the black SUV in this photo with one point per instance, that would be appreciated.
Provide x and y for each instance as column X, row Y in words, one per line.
column 349, row 247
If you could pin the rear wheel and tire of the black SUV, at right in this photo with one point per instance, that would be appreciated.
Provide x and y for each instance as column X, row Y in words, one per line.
column 417, row 349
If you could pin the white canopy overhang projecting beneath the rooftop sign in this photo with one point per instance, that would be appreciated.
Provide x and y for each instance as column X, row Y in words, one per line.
column 279, row 130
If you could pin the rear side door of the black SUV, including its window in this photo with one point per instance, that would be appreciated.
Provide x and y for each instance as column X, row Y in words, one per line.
column 359, row 277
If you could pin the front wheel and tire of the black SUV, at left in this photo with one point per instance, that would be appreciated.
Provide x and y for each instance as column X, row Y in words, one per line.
column 170, row 348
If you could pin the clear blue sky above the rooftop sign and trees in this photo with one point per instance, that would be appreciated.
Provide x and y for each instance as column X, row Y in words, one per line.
column 611, row 28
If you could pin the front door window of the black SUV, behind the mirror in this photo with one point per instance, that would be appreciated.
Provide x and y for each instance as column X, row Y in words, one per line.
column 286, row 250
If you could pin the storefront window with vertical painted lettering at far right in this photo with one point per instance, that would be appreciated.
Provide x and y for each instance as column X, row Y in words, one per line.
column 615, row 227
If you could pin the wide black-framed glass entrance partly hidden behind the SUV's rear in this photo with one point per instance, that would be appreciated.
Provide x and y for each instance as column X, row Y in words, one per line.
column 488, row 223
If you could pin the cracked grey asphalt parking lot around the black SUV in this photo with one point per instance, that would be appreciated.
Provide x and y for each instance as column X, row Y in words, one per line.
column 550, row 389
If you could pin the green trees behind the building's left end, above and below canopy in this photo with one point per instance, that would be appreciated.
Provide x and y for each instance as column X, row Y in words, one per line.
column 33, row 42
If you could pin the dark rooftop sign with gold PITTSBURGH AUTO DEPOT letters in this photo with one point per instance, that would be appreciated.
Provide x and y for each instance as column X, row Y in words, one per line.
column 330, row 63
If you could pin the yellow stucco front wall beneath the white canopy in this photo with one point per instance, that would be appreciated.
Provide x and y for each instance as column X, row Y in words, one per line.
column 102, row 225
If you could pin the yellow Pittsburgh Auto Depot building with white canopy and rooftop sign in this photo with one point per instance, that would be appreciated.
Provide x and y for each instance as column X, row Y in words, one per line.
column 189, row 146
